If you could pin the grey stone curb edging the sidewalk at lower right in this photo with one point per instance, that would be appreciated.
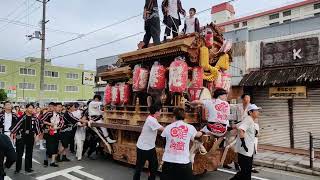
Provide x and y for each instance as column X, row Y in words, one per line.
column 285, row 167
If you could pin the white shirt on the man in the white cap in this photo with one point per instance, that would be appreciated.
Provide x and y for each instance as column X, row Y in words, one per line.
column 248, row 126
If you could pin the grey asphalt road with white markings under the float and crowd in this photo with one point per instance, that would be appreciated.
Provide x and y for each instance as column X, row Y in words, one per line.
column 106, row 169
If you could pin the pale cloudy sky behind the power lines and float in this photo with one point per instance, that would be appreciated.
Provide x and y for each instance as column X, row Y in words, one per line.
column 70, row 19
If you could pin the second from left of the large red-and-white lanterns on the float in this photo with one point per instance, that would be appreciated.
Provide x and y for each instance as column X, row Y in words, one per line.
column 157, row 79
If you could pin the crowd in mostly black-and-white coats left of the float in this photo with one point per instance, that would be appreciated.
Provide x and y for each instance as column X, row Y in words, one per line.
column 57, row 129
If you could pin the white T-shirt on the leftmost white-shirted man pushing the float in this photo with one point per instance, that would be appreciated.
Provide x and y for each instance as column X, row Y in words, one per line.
column 148, row 136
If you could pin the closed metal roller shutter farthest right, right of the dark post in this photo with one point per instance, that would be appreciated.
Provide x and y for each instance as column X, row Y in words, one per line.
column 306, row 118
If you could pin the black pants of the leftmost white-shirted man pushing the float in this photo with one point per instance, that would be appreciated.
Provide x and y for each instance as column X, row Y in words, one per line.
column 142, row 157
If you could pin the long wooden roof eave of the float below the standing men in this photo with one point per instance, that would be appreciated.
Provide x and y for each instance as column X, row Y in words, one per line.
column 179, row 45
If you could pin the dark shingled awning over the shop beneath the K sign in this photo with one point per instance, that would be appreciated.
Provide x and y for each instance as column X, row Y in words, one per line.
column 282, row 76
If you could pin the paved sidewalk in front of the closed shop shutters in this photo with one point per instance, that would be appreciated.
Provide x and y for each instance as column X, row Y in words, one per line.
column 287, row 162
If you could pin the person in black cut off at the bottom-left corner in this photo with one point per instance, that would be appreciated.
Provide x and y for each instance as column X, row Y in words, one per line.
column 6, row 150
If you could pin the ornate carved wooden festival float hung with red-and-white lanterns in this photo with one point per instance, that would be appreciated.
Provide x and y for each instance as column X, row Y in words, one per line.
column 184, row 69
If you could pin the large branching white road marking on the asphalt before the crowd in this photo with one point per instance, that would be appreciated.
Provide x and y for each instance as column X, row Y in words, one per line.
column 65, row 173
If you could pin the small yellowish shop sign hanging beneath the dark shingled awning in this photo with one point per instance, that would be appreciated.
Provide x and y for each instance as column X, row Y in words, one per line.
column 290, row 92
